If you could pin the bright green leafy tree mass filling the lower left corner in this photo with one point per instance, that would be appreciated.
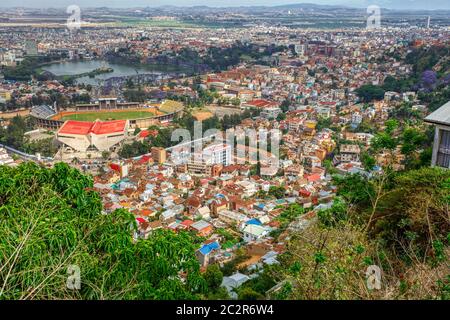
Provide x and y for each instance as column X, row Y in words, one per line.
column 51, row 219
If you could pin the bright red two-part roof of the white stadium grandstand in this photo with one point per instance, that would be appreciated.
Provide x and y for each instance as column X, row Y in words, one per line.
column 98, row 127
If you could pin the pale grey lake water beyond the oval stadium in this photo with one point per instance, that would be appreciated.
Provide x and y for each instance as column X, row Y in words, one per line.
column 78, row 67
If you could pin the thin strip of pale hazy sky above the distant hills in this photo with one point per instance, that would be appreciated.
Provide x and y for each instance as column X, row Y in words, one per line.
column 393, row 4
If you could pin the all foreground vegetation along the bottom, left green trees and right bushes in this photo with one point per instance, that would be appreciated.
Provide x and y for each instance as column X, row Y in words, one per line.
column 51, row 219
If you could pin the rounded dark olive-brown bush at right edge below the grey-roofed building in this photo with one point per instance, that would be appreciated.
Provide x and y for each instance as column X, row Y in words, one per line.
column 414, row 211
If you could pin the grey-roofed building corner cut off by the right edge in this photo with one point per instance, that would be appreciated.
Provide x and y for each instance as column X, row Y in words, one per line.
column 441, row 147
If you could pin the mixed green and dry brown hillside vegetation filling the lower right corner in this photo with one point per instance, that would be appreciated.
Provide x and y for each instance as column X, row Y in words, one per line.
column 395, row 221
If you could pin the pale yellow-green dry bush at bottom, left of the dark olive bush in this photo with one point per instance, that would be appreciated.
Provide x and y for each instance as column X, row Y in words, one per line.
column 332, row 262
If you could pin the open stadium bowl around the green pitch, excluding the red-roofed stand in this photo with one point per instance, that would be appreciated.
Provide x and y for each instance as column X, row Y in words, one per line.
column 107, row 109
